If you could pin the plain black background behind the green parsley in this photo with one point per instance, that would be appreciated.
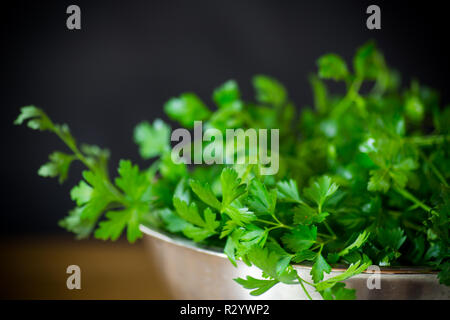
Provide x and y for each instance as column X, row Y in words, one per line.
column 131, row 56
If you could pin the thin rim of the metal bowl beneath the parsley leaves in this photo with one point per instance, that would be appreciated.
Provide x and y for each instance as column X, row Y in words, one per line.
column 218, row 252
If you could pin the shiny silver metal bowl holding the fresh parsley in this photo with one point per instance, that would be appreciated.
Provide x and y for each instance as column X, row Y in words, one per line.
column 192, row 271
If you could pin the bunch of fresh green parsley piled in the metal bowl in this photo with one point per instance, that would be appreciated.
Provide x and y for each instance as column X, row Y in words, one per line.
column 363, row 179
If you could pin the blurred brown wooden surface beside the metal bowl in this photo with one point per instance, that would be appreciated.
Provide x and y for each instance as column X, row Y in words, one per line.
column 35, row 268
